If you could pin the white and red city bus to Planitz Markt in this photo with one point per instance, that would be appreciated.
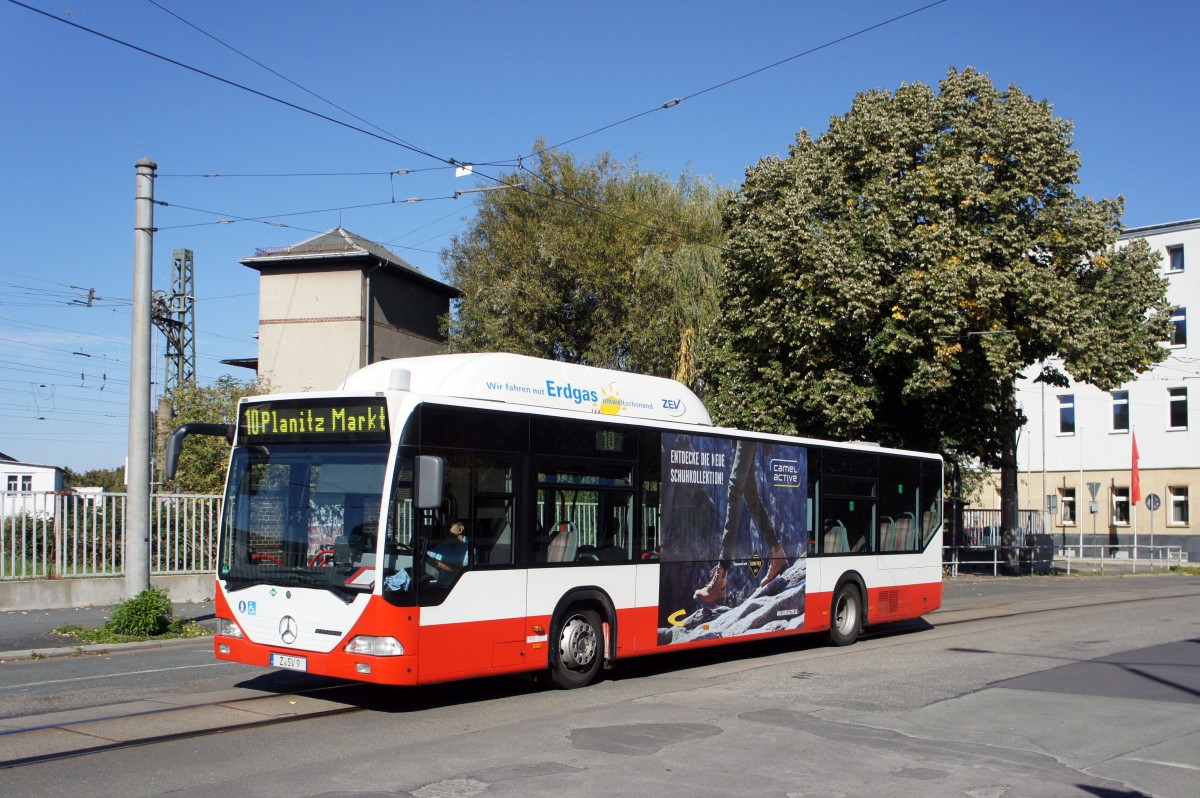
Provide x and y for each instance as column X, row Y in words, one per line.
column 466, row 515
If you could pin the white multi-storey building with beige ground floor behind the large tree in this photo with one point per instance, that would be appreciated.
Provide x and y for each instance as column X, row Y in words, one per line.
column 1076, row 453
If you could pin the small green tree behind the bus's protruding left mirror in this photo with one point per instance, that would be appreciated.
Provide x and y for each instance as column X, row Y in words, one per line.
column 205, row 459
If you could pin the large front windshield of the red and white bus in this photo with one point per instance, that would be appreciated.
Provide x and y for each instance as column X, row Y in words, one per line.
column 304, row 515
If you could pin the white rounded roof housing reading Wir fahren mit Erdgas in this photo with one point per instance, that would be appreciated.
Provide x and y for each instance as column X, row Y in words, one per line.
column 520, row 380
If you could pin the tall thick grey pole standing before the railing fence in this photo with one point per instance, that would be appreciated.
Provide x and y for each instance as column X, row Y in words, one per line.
column 137, row 515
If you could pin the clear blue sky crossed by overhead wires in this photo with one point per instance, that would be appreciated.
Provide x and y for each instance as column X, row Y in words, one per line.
column 478, row 83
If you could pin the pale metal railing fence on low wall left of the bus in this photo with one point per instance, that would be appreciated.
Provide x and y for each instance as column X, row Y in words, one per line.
column 65, row 535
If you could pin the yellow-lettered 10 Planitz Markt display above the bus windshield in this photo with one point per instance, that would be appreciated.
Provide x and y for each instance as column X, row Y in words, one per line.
column 315, row 421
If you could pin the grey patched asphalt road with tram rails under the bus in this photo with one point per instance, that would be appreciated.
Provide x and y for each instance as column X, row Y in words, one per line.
column 1019, row 687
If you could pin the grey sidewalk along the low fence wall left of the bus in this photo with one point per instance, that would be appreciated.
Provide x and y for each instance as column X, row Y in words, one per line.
column 25, row 633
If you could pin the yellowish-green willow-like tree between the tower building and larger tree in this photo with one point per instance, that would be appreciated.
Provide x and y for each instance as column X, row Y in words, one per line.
column 595, row 263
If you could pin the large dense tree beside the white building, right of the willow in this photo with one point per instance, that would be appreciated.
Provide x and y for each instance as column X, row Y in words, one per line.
column 892, row 279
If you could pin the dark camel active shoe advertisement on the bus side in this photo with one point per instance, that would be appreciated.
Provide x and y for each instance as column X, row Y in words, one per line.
column 735, row 538
